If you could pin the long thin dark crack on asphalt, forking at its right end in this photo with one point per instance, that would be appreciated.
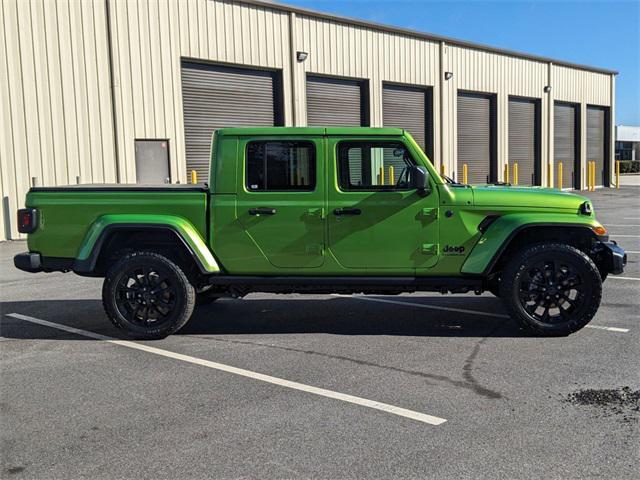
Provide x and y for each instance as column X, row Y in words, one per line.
column 470, row 382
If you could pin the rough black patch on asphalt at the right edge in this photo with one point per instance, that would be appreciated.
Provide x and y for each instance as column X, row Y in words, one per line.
column 616, row 401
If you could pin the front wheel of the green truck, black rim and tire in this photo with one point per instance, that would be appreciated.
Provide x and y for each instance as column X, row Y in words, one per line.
column 551, row 289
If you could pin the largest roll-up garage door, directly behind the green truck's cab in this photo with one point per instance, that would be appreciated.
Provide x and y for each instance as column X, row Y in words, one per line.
column 217, row 97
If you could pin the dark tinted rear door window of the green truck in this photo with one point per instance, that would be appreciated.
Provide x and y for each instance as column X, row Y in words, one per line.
column 280, row 166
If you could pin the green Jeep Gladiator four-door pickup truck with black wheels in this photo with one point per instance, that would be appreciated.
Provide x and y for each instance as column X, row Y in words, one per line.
column 321, row 210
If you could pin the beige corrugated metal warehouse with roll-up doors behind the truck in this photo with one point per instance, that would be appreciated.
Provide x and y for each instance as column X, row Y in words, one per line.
column 129, row 91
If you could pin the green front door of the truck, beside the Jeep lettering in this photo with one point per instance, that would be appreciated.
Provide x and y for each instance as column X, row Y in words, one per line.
column 376, row 220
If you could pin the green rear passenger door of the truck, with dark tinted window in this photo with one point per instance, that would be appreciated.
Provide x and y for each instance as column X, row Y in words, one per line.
column 280, row 204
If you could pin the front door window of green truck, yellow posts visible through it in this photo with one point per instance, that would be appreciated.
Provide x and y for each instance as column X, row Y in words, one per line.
column 374, row 166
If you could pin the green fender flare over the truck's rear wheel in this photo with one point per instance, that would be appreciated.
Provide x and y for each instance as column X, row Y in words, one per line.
column 183, row 229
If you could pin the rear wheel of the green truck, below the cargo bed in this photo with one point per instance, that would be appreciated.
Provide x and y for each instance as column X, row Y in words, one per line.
column 165, row 285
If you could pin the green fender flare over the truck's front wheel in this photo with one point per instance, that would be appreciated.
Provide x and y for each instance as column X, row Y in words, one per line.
column 497, row 238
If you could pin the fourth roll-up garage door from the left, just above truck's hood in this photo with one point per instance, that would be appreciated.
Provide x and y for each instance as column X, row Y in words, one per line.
column 476, row 125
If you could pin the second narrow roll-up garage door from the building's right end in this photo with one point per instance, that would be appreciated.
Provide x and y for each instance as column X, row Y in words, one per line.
column 565, row 142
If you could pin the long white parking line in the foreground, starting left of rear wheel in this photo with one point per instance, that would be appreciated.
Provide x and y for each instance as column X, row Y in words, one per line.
column 385, row 407
